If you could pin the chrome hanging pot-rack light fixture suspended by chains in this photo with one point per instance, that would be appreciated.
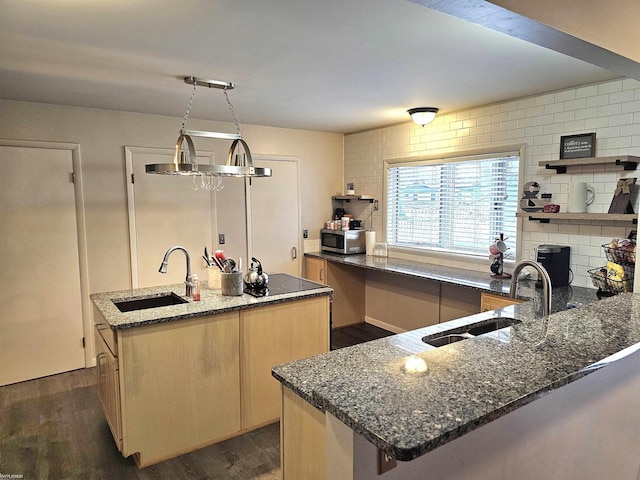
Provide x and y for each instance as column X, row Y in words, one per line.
column 184, row 159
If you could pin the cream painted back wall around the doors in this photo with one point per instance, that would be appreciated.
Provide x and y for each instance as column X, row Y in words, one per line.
column 103, row 134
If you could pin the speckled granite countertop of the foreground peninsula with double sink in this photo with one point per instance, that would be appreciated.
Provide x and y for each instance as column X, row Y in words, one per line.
column 469, row 383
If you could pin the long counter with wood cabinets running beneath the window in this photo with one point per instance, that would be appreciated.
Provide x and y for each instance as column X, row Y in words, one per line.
column 400, row 295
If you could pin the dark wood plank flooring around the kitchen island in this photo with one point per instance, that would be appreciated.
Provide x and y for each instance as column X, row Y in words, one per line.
column 54, row 428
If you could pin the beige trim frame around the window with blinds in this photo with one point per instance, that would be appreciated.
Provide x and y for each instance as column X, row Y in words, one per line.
column 419, row 254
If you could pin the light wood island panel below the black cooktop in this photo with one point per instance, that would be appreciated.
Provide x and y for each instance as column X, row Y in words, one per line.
column 272, row 335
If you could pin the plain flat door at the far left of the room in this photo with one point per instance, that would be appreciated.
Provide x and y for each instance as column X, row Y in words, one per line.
column 41, row 327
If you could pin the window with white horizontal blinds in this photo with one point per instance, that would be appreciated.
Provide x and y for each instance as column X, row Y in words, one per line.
column 455, row 205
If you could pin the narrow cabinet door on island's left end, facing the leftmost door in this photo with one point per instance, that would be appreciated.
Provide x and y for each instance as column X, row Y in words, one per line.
column 108, row 386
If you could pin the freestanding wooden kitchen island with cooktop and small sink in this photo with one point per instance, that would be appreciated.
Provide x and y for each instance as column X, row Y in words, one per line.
column 176, row 378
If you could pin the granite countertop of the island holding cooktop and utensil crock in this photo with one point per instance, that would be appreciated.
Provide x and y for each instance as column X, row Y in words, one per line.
column 211, row 302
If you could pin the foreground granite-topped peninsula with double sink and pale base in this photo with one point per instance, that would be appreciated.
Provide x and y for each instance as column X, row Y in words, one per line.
column 548, row 397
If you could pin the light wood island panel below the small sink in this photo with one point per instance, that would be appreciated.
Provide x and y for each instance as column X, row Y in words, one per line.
column 180, row 385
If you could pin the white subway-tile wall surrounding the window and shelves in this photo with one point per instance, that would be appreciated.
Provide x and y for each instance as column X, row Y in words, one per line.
column 610, row 109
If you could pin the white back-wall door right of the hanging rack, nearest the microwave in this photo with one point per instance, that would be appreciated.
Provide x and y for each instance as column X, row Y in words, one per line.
column 275, row 216
